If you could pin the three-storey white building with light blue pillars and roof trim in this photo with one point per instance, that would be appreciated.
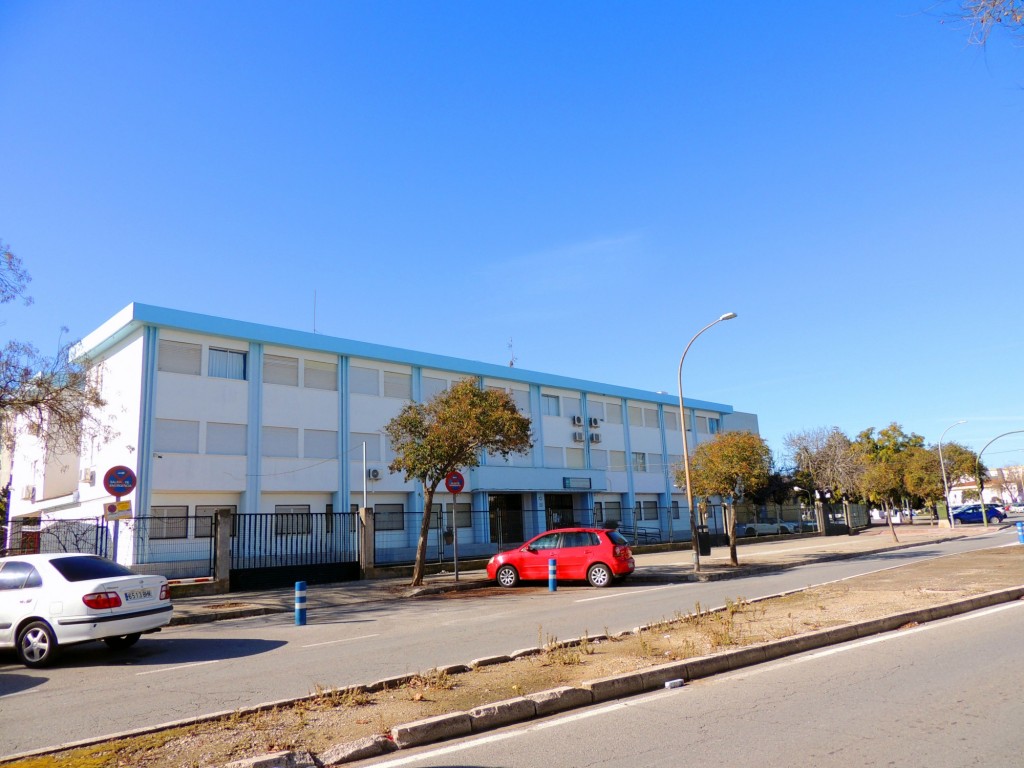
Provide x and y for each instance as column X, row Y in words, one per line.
column 219, row 414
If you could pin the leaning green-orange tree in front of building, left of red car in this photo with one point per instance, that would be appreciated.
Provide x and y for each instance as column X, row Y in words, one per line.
column 449, row 434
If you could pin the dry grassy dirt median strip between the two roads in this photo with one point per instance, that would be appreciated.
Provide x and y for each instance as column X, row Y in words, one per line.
column 328, row 716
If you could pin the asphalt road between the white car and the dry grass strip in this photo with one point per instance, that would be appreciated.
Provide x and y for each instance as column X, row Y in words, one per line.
column 191, row 671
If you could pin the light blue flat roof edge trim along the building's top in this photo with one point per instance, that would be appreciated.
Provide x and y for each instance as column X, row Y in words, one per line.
column 139, row 315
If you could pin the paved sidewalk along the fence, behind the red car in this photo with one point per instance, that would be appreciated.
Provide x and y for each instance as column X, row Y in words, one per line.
column 664, row 568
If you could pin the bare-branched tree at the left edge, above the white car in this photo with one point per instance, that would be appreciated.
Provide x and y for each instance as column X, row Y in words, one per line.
column 55, row 399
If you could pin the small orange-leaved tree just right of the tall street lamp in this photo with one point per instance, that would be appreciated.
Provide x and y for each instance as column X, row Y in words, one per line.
column 731, row 465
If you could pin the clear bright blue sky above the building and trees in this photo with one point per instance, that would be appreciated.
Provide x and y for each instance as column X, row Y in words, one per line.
column 594, row 181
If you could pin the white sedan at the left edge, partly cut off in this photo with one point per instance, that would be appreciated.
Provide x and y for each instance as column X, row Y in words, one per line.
column 48, row 602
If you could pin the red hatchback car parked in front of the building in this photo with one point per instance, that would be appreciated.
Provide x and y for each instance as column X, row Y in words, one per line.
column 596, row 556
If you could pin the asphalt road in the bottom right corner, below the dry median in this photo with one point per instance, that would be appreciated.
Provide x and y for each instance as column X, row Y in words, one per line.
column 947, row 695
